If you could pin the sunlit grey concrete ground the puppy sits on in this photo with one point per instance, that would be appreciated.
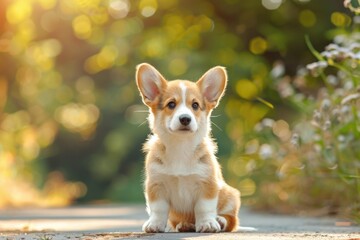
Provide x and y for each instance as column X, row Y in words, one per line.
column 124, row 222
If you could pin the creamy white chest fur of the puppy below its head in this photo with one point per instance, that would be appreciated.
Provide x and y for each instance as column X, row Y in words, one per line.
column 180, row 172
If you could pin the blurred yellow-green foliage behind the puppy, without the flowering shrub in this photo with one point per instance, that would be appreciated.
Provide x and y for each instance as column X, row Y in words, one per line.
column 72, row 123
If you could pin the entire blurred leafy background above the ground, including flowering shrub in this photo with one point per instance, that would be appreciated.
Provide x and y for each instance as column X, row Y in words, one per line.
column 72, row 123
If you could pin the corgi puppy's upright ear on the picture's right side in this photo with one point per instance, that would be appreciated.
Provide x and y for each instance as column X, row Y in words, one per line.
column 212, row 85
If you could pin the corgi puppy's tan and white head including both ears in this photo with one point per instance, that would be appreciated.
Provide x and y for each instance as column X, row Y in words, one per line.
column 180, row 107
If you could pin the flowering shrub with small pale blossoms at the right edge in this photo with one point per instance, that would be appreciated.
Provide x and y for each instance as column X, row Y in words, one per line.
column 316, row 157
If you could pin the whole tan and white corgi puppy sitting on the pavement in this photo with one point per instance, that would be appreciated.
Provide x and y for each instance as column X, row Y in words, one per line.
column 184, row 186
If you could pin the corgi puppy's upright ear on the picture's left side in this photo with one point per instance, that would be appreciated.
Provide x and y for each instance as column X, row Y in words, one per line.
column 150, row 83
